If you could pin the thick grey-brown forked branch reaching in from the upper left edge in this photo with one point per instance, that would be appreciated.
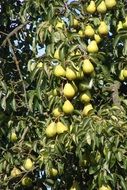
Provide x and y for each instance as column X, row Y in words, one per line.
column 12, row 33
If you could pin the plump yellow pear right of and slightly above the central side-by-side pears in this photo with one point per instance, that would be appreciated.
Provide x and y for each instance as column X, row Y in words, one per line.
column 87, row 66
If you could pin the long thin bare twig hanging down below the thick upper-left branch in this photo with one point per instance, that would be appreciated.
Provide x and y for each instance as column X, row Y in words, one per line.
column 18, row 69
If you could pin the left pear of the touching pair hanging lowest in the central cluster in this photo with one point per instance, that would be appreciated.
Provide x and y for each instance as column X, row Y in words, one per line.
column 51, row 130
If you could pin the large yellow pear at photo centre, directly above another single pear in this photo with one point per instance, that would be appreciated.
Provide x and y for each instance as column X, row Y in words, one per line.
column 69, row 90
